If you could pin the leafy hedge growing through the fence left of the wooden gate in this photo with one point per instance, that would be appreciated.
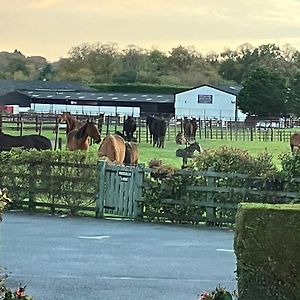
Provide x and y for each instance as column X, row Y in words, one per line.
column 55, row 177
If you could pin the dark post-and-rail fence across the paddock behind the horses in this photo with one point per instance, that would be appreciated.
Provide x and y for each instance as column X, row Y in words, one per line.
column 207, row 129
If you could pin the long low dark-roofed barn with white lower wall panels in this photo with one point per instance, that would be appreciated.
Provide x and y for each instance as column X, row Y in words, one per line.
column 55, row 97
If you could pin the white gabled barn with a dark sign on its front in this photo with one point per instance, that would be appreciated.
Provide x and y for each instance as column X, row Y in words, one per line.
column 209, row 102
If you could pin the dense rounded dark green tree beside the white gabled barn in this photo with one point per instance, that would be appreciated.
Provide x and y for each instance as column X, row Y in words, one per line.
column 264, row 94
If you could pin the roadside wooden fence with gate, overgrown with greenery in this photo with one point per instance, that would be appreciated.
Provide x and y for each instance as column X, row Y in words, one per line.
column 131, row 192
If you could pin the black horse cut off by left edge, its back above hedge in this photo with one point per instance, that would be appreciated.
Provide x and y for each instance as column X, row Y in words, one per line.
column 32, row 141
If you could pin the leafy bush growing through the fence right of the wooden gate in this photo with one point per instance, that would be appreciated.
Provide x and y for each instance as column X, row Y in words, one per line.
column 171, row 197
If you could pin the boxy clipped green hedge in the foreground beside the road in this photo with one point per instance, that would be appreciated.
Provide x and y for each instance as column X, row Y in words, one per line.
column 267, row 247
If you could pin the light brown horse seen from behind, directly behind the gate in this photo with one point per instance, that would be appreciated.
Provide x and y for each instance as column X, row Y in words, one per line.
column 113, row 147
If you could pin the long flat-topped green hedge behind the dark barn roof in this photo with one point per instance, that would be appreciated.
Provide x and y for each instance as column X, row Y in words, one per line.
column 137, row 88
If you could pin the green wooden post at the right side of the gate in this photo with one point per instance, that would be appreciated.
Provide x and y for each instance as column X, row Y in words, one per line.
column 138, row 191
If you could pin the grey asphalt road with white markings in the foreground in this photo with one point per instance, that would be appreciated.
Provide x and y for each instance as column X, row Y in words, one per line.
column 86, row 258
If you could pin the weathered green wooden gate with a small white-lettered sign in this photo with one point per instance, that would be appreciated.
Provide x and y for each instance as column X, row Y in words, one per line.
column 120, row 188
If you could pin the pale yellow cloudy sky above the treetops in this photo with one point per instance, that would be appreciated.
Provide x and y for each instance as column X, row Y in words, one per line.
column 50, row 28
